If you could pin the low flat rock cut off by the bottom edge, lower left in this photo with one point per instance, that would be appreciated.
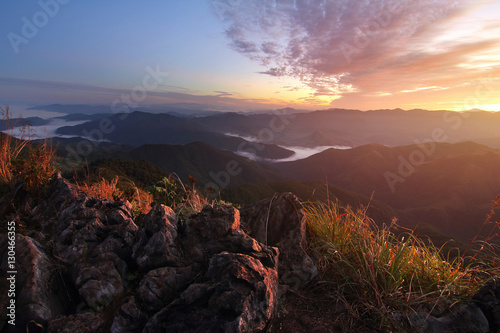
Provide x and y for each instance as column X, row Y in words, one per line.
column 82, row 323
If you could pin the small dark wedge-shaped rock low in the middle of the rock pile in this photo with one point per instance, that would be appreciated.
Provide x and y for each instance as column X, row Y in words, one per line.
column 163, row 285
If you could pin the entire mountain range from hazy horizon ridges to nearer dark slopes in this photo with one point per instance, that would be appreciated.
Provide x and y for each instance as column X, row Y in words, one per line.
column 437, row 168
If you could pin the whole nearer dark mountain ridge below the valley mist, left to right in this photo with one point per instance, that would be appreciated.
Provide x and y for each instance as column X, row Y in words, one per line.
column 447, row 186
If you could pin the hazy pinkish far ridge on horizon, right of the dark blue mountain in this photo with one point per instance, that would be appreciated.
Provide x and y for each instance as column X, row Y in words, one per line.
column 355, row 128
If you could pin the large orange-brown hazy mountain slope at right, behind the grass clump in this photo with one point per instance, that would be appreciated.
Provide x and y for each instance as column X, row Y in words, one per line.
column 447, row 185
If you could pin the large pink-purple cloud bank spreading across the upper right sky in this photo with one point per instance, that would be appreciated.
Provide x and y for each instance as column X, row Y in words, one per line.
column 338, row 47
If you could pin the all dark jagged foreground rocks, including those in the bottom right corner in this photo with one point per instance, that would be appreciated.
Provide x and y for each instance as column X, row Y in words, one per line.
column 90, row 268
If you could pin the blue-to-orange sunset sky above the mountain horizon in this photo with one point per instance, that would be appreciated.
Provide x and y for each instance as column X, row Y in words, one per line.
column 252, row 54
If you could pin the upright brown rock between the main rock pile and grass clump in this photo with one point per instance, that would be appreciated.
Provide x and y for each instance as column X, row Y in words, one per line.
column 281, row 221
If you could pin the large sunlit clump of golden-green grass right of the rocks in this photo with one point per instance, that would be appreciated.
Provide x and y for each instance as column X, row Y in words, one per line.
column 376, row 273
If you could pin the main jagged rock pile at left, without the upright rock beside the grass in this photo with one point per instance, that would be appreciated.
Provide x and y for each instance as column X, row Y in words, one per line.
column 97, row 271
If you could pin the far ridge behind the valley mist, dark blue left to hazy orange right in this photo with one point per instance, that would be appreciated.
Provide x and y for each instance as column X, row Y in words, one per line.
column 287, row 128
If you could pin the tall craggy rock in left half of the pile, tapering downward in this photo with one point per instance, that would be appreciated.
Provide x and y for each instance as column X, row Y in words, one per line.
column 96, row 238
